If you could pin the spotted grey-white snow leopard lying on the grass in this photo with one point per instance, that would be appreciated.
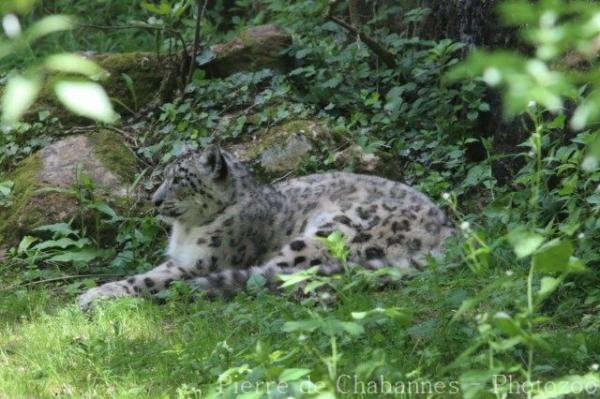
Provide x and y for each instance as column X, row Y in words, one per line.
column 227, row 227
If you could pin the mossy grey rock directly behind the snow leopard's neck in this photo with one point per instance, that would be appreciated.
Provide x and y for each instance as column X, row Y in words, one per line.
column 282, row 148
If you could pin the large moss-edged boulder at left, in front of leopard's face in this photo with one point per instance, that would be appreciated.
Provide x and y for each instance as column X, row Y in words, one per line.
column 102, row 156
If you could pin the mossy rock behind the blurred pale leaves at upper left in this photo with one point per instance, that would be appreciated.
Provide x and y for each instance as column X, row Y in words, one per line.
column 144, row 69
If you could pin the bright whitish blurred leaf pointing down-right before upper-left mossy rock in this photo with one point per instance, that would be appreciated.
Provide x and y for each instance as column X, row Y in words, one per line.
column 86, row 99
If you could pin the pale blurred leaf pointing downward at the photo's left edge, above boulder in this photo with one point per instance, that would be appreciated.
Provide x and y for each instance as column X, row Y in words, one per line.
column 19, row 95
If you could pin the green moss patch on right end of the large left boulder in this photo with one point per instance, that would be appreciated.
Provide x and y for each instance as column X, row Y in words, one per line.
column 114, row 155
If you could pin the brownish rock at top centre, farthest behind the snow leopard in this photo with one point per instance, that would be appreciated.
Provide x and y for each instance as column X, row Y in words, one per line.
column 254, row 49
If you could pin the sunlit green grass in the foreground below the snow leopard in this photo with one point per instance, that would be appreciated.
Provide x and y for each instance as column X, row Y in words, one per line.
column 139, row 348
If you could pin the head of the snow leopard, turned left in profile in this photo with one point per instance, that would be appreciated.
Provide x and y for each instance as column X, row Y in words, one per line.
column 199, row 185
